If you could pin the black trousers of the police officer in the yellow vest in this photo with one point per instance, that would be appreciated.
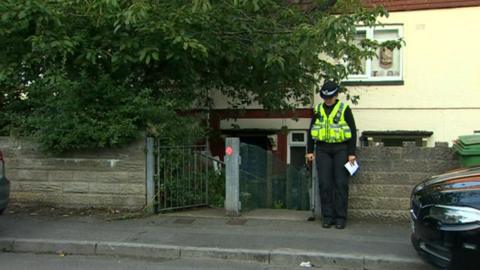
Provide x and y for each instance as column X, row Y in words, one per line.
column 333, row 180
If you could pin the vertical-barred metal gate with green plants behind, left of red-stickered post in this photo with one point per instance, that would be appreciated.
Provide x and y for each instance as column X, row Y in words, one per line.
column 181, row 176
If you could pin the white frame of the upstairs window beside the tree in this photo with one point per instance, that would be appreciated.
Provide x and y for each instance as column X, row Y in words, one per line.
column 367, row 77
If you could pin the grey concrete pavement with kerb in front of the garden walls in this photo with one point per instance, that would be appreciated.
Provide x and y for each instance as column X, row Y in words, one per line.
column 273, row 237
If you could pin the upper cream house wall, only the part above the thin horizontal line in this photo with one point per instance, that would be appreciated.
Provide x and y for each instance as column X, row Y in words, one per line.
column 440, row 58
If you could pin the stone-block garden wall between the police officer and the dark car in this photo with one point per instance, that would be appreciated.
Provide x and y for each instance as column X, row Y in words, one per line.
column 381, row 189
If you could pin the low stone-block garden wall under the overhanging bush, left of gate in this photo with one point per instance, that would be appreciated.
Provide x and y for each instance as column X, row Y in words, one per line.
column 98, row 178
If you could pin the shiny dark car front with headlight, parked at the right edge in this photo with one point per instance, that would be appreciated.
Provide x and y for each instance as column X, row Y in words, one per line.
column 445, row 216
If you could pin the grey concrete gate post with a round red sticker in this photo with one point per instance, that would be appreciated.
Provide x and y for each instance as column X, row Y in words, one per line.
column 232, row 173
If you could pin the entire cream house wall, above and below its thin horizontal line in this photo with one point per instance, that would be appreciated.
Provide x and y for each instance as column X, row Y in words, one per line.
column 441, row 90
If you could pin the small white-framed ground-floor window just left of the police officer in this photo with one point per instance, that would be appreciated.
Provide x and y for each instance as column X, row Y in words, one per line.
column 297, row 148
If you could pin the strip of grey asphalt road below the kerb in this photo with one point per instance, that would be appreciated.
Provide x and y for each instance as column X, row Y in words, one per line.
column 15, row 261
